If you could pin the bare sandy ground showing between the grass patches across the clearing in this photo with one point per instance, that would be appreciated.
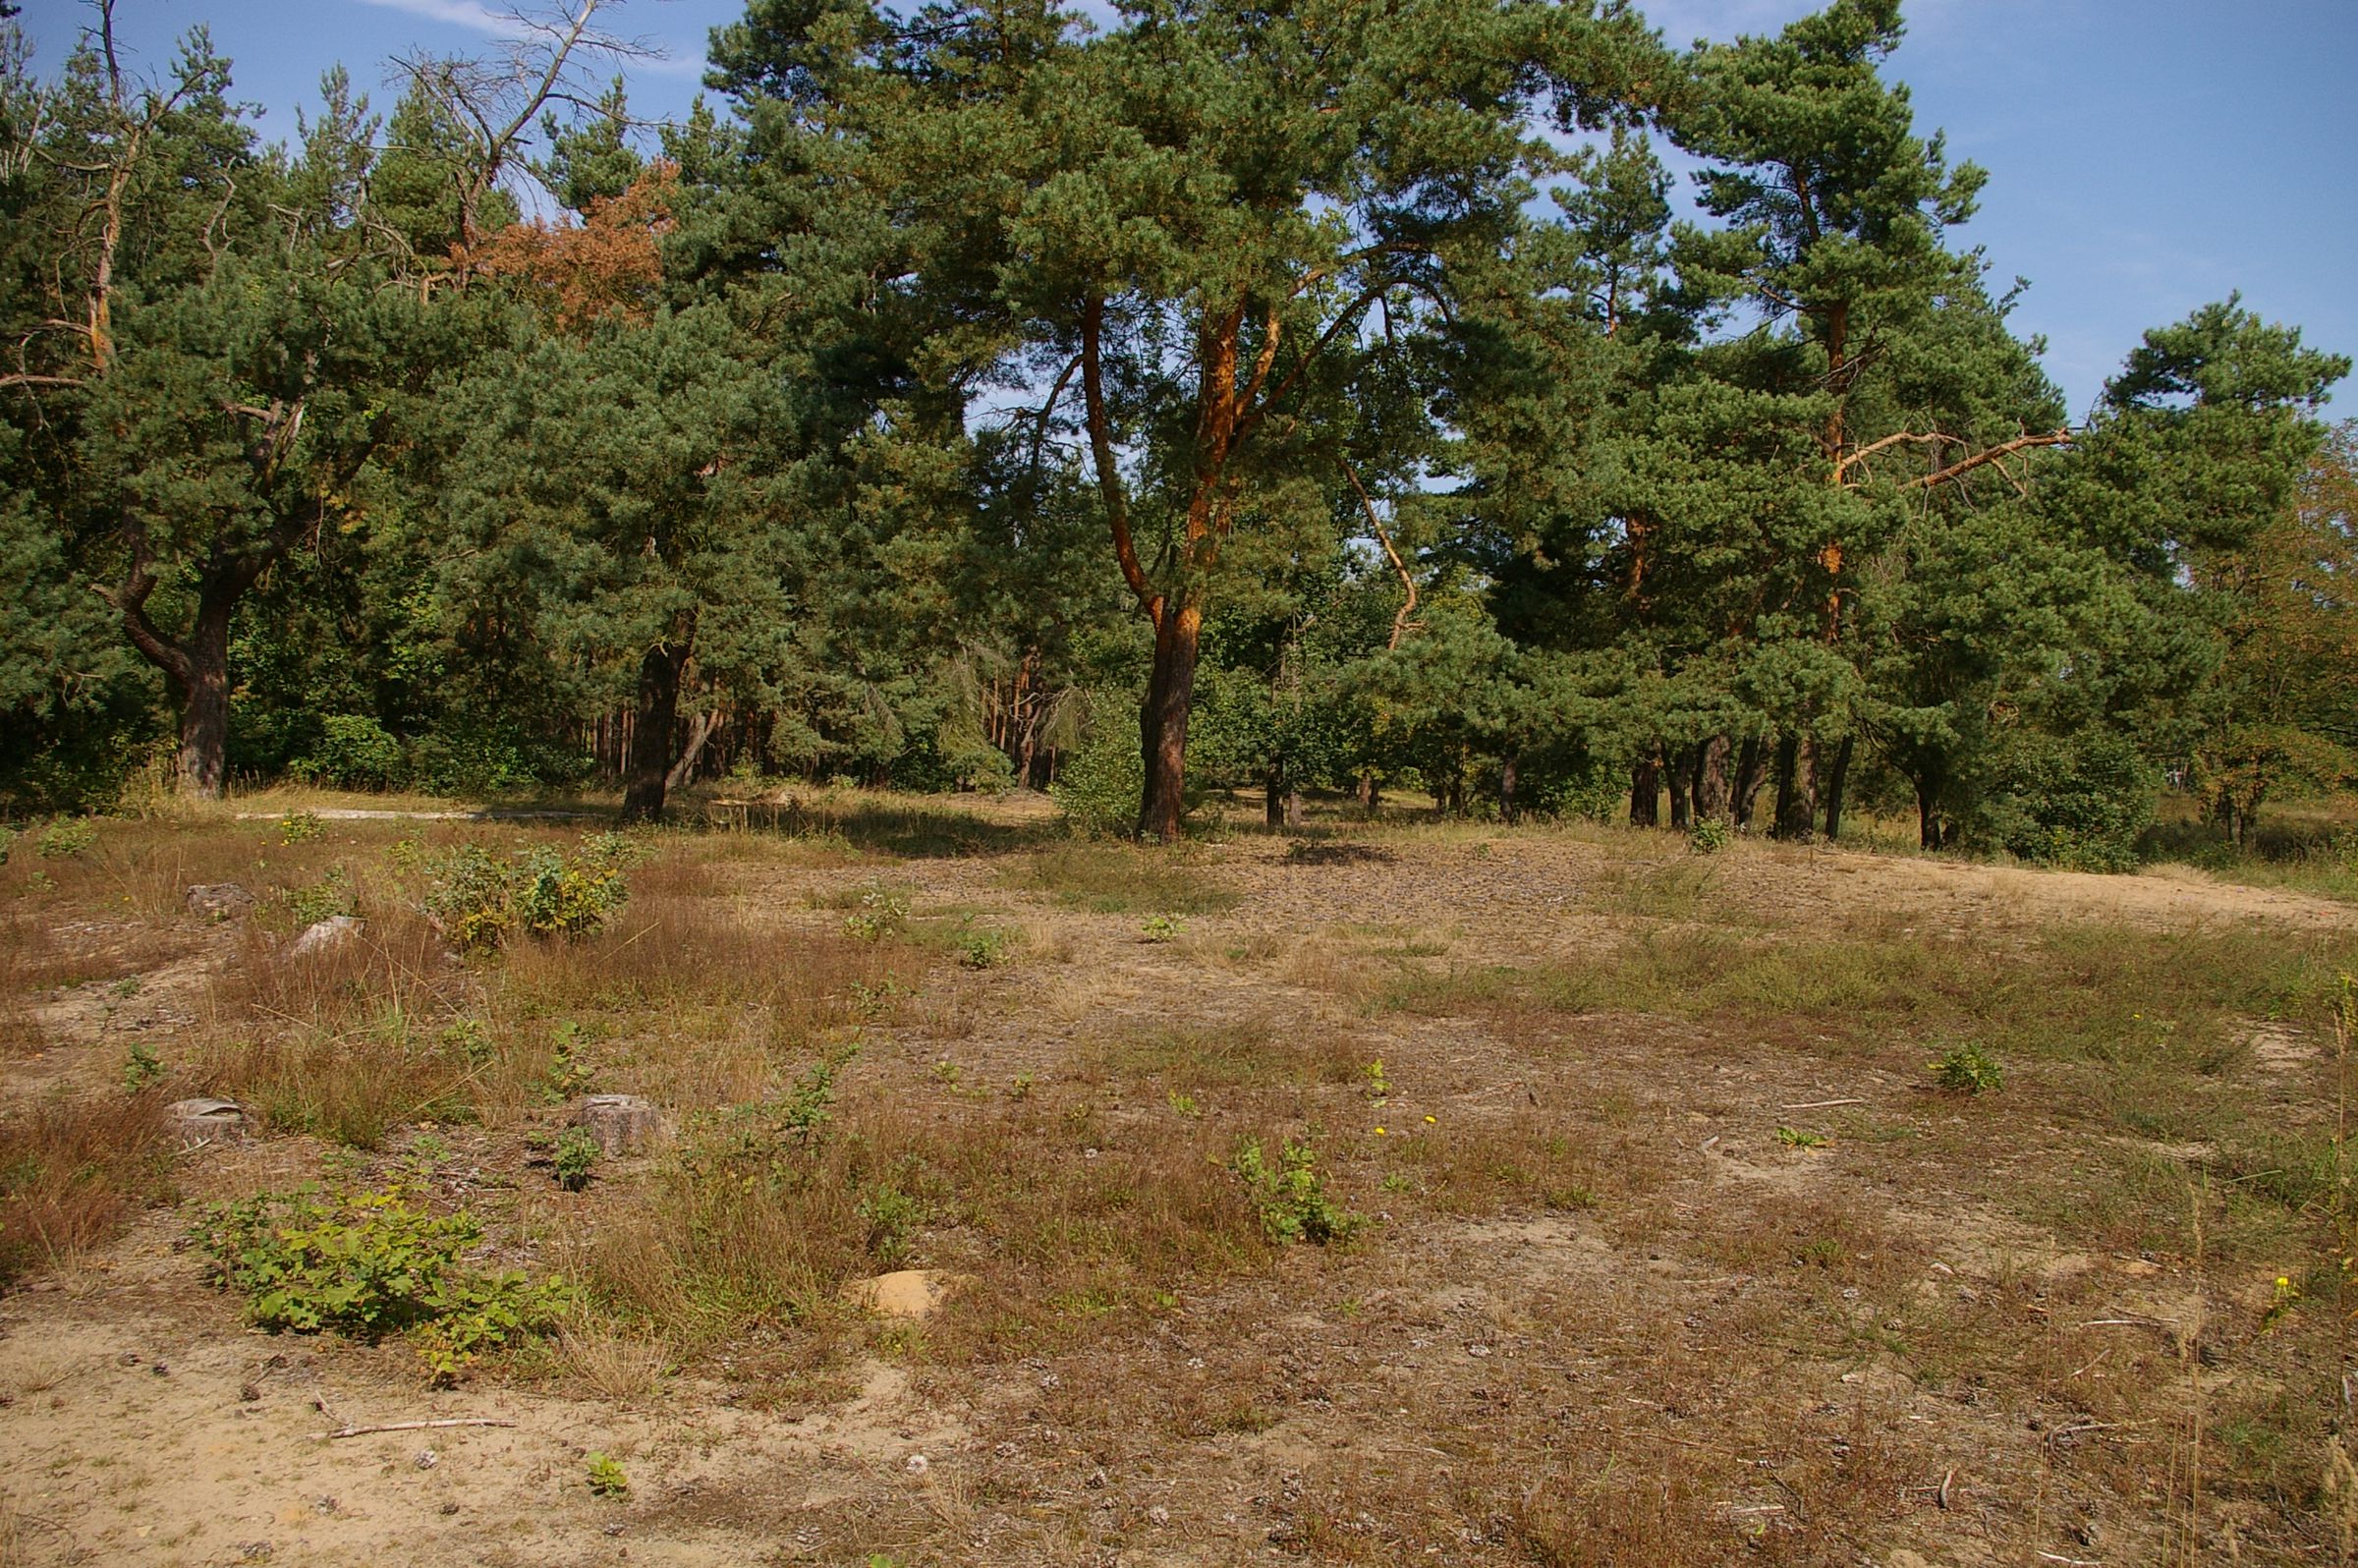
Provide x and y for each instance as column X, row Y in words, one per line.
column 147, row 1428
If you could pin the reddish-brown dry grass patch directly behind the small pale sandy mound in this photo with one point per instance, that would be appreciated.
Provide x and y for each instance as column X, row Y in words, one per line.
column 753, row 1225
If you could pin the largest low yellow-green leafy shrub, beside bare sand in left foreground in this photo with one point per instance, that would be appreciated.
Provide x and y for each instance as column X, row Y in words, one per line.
column 369, row 1265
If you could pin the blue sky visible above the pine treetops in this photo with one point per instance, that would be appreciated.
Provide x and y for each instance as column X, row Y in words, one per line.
column 2145, row 154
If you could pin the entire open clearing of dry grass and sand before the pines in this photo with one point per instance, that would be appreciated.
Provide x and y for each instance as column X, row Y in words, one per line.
column 1366, row 1197
